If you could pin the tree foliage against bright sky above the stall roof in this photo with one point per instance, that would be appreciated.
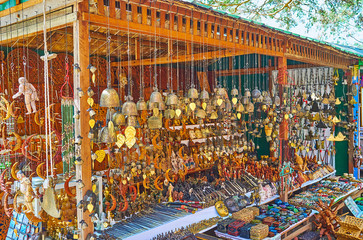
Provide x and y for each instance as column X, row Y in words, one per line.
column 340, row 19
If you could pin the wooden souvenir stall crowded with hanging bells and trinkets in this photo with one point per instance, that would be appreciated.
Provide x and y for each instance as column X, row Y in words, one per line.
column 167, row 120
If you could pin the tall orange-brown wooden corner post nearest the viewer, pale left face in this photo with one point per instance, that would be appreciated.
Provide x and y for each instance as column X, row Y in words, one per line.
column 81, row 80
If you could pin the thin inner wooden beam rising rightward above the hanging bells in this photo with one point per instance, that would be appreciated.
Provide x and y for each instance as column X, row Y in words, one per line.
column 181, row 58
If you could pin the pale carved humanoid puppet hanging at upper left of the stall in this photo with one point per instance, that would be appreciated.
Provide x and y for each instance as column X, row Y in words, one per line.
column 30, row 94
